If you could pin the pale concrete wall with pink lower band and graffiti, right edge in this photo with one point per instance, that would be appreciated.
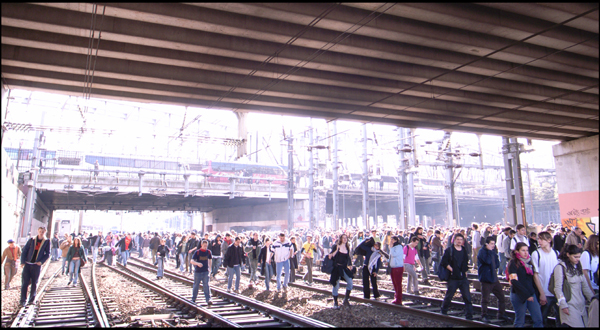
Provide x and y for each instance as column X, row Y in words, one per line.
column 577, row 180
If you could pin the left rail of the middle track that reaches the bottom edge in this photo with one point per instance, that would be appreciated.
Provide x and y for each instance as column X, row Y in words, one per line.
column 209, row 315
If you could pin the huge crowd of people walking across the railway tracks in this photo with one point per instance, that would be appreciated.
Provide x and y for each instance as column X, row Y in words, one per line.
column 551, row 268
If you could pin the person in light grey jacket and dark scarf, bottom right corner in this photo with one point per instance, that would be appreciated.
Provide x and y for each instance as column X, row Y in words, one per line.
column 572, row 311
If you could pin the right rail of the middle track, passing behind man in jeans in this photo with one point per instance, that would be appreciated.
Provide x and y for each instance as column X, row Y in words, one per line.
column 280, row 313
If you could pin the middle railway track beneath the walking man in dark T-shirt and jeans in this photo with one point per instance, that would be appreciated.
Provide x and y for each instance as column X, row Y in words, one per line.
column 227, row 308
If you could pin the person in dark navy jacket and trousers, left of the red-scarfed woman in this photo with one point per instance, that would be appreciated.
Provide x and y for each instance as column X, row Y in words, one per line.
column 488, row 262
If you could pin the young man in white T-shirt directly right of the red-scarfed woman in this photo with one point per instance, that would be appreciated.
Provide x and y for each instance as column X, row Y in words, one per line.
column 544, row 260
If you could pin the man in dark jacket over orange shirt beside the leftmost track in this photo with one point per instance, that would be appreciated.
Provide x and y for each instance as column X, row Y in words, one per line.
column 35, row 253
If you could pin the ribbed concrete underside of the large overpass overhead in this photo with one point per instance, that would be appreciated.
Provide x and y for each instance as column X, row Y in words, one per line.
column 512, row 69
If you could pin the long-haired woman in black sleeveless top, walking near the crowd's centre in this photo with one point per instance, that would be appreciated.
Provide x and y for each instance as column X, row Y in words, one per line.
column 342, row 269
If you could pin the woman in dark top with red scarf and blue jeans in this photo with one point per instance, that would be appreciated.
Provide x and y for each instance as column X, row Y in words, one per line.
column 524, row 281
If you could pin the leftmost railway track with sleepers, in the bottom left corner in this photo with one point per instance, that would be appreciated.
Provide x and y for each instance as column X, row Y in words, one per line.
column 57, row 305
